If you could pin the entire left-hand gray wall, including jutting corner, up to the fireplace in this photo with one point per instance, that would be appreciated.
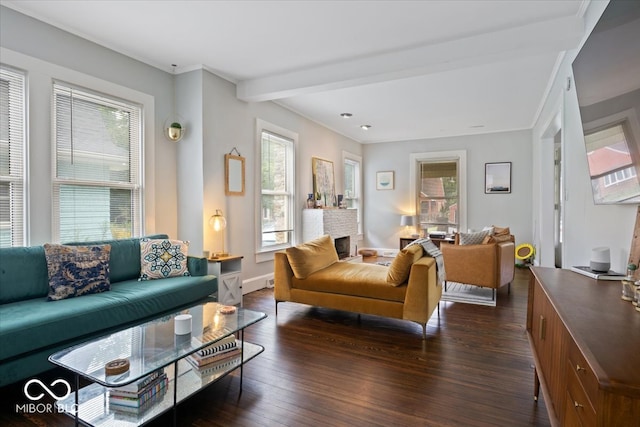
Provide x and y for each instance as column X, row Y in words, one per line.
column 185, row 181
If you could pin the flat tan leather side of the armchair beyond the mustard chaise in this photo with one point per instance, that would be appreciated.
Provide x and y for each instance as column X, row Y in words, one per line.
column 475, row 264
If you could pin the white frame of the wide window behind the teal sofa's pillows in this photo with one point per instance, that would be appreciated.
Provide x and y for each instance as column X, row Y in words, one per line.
column 135, row 155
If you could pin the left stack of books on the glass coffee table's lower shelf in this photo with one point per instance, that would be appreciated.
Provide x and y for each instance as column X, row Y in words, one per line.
column 139, row 394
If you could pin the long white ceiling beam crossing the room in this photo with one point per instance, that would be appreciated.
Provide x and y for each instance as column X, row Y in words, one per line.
column 547, row 36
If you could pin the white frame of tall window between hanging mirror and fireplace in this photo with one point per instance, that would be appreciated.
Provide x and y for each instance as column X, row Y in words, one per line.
column 265, row 253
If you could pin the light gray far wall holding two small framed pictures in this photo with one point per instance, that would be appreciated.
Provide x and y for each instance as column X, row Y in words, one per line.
column 383, row 208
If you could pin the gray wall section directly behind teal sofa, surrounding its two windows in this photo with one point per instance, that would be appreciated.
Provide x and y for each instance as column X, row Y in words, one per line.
column 59, row 54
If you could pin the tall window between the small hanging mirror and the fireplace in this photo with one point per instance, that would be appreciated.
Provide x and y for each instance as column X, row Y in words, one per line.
column 277, row 193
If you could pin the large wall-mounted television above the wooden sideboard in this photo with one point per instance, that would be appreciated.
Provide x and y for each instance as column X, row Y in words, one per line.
column 607, row 81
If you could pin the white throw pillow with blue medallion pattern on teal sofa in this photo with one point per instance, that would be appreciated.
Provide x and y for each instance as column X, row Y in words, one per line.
column 162, row 258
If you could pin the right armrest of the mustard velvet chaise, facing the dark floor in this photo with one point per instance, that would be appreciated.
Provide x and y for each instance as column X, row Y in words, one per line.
column 423, row 292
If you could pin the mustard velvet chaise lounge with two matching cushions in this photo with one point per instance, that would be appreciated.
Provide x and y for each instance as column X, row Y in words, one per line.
column 311, row 274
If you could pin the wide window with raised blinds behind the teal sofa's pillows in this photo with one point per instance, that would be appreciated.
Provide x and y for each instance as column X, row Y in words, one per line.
column 97, row 191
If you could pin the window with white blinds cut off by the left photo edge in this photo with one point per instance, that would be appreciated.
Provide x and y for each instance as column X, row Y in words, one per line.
column 12, row 145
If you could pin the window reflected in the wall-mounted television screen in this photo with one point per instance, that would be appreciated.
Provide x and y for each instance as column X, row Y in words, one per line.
column 611, row 164
